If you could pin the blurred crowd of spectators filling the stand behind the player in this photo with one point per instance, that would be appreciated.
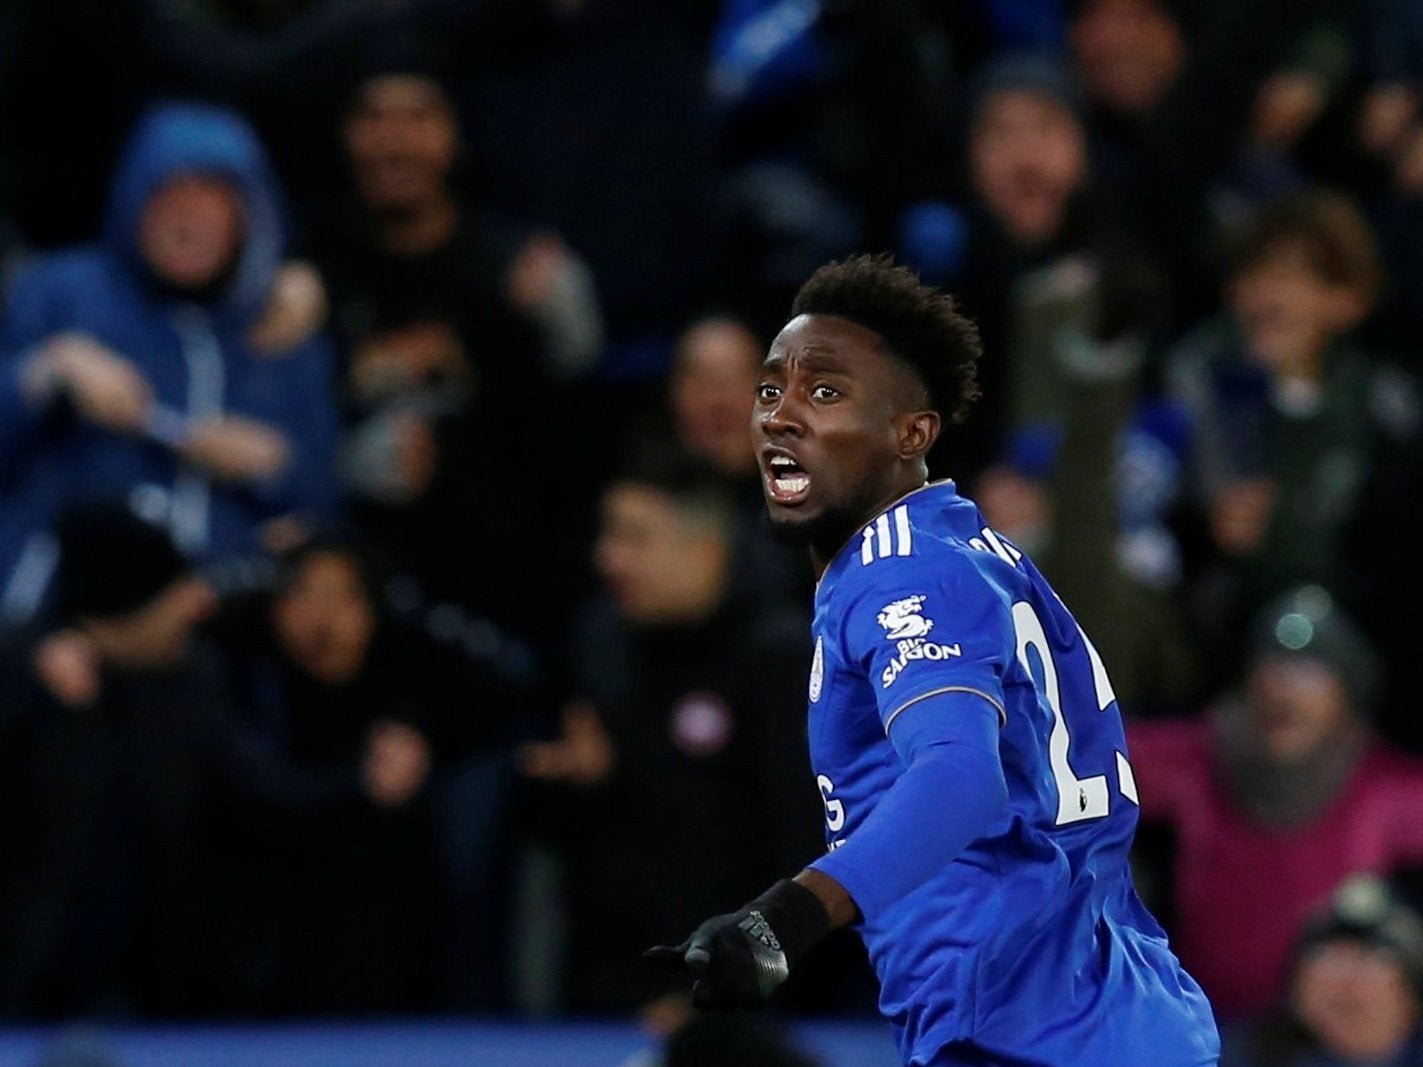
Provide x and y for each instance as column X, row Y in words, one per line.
column 389, row 620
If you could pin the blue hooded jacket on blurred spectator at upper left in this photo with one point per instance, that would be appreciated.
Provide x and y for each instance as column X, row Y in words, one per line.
column 196, row 356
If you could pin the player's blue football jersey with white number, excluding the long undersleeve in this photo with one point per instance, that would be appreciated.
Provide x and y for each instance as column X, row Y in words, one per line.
column 1030, row 948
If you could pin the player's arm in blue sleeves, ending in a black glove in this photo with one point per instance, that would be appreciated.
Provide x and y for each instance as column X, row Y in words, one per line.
column 943, row 715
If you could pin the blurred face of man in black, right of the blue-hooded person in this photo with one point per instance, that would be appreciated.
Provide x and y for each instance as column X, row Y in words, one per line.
column 402, row 139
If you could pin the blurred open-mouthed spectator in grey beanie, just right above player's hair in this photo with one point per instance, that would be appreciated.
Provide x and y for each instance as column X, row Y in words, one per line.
column 1037, row 220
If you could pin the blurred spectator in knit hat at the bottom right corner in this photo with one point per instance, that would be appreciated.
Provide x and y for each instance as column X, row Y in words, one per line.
column 1354, row 994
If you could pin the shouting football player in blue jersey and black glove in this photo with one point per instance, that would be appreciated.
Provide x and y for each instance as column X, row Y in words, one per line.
column 966, row 739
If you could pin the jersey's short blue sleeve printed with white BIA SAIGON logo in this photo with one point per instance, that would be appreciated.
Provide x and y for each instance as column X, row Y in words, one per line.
column 926, row 628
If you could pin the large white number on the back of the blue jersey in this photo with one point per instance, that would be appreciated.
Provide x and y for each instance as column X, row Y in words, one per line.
column 1078, row 799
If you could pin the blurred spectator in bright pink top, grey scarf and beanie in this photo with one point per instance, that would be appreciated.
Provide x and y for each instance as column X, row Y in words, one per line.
column 1276, row 797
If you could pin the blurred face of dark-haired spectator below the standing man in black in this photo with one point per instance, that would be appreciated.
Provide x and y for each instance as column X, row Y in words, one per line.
column 325, row 621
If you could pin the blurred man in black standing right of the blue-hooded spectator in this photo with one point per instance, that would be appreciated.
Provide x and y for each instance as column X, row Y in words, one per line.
column 448, row 317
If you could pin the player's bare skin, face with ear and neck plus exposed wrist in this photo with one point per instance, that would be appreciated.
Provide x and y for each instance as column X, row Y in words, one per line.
column 856, row 425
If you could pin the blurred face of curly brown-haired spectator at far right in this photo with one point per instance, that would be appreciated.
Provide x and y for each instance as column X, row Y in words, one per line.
column 1289, row 312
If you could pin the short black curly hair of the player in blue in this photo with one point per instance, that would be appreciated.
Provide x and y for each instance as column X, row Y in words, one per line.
column 921, row 325
